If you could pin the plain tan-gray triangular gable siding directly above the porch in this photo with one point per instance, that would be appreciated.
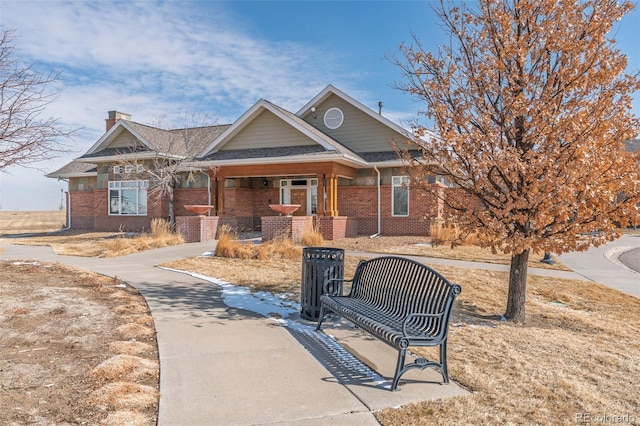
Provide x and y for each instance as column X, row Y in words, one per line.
column 267, row 131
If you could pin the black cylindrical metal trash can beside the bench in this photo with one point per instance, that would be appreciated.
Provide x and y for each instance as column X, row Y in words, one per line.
column 319, row 266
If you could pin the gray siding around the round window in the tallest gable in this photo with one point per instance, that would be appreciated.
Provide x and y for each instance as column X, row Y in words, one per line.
column 358, row 132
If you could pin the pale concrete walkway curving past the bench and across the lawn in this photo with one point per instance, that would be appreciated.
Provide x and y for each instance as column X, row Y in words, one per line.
column 228, row 365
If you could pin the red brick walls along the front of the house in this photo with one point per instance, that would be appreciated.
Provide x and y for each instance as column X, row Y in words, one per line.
column 246, row 207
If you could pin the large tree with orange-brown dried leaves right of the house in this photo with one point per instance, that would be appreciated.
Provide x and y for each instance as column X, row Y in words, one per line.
column 532, row 106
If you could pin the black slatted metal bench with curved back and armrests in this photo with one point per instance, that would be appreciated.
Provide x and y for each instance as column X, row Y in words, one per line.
column 399, row 301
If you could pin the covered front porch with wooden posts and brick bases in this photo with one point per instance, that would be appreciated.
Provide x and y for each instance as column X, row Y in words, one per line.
column 241, row 196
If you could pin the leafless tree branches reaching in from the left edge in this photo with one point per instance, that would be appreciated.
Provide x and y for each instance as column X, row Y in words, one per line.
column 25, row 137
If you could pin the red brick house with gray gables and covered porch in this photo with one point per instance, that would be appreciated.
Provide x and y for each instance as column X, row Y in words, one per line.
column 334, row 157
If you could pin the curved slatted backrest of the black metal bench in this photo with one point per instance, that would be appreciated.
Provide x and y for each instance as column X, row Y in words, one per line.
column 398, row 286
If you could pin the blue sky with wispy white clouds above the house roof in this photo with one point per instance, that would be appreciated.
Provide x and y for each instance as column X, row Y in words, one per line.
column 170, row 58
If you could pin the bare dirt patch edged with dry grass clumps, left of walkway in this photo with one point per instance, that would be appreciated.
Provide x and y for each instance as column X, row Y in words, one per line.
column 76, row 348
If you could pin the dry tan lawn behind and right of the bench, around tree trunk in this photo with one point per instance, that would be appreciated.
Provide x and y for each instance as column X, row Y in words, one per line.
column 579, row 351
